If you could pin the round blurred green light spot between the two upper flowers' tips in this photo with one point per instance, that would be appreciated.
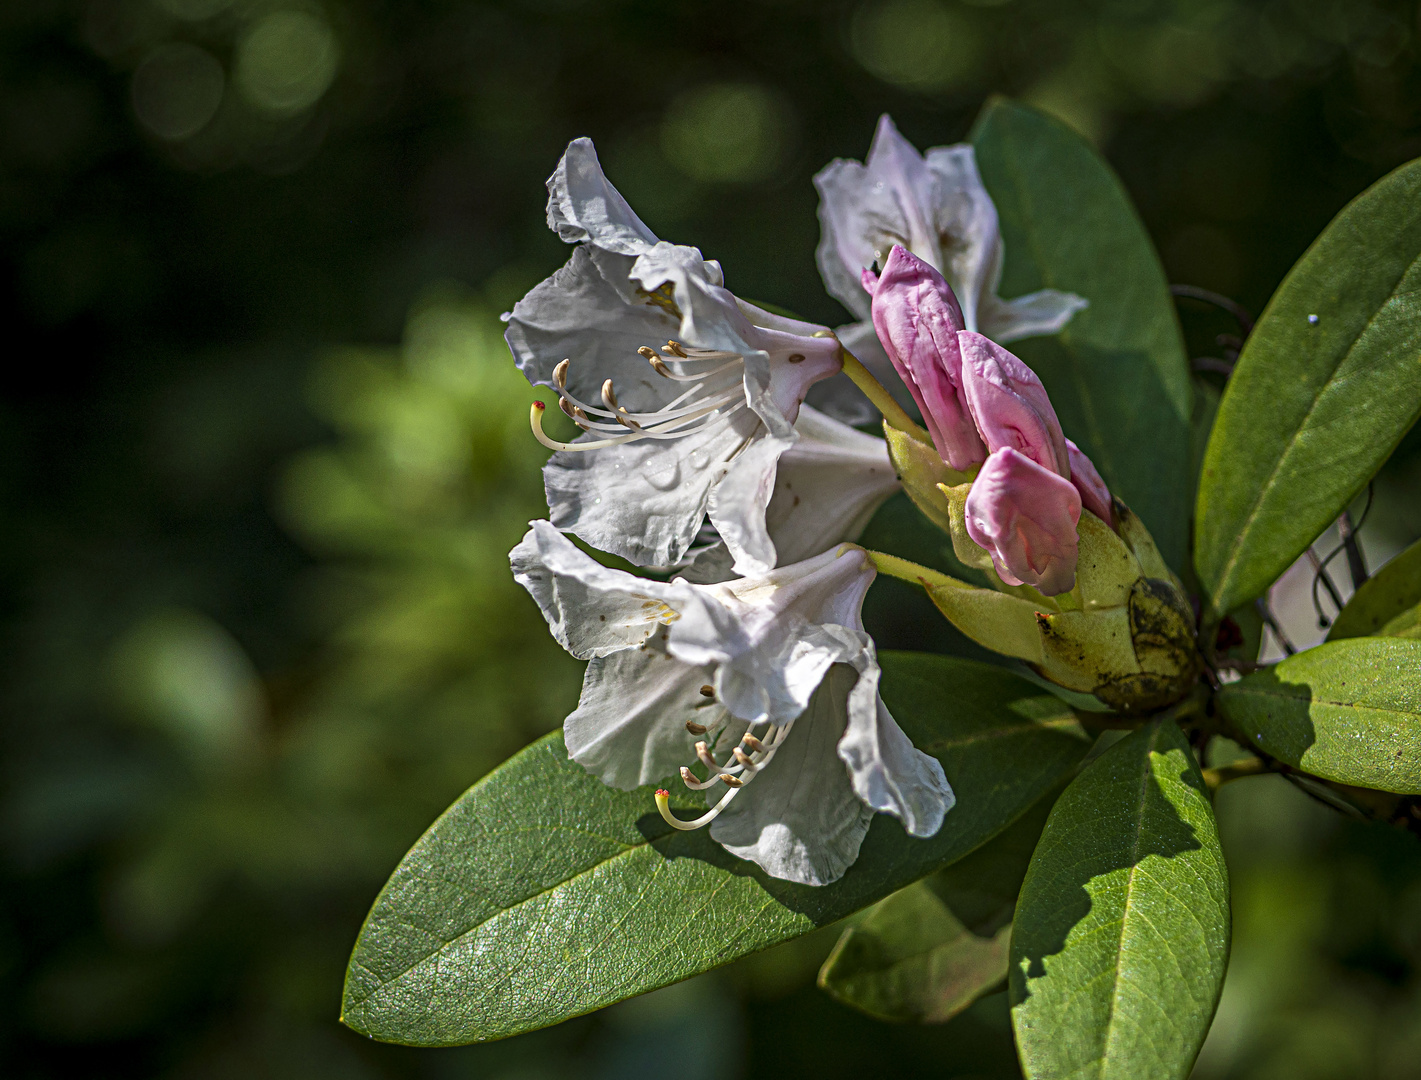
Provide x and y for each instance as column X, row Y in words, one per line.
column 730, row 133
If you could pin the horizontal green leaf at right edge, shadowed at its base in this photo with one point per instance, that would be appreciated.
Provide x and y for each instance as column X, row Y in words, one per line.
column 1348, row 711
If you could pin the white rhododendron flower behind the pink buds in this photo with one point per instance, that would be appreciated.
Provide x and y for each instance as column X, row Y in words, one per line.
column 936, row 207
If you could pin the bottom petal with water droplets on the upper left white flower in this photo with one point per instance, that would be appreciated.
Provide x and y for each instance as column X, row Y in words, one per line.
column 644, row 501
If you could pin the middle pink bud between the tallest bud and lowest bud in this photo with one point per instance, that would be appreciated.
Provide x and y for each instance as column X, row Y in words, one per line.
column 1010, row 404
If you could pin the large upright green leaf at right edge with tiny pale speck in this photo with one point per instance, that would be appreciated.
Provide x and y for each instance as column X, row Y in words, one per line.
column 1328, row 384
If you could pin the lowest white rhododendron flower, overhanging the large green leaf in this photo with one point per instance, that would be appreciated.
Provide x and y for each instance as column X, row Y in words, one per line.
column 768, row 683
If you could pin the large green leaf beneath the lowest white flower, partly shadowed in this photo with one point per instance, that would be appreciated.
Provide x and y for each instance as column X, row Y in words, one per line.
column 544, row 895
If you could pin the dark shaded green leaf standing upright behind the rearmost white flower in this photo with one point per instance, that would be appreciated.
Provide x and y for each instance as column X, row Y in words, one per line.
column 1118, row 374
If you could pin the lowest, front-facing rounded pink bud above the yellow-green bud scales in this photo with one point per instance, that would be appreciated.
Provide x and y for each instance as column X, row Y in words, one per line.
column 1025, row 517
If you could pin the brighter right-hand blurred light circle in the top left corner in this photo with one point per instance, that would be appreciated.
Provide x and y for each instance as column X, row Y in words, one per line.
column 286, row 62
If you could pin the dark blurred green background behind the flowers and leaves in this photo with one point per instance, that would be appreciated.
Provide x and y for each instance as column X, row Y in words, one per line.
column 262, row 457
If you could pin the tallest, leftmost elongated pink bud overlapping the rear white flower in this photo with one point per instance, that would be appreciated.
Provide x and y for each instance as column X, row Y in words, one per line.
column 917, row 320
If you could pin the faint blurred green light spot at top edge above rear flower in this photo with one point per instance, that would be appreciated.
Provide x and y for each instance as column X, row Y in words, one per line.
column 917, row 45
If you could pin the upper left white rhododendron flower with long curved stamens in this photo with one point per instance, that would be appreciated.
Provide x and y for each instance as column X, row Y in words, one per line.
column 687, row 396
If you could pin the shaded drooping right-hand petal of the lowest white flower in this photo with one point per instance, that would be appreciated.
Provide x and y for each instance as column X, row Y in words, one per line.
column 887, row 771
